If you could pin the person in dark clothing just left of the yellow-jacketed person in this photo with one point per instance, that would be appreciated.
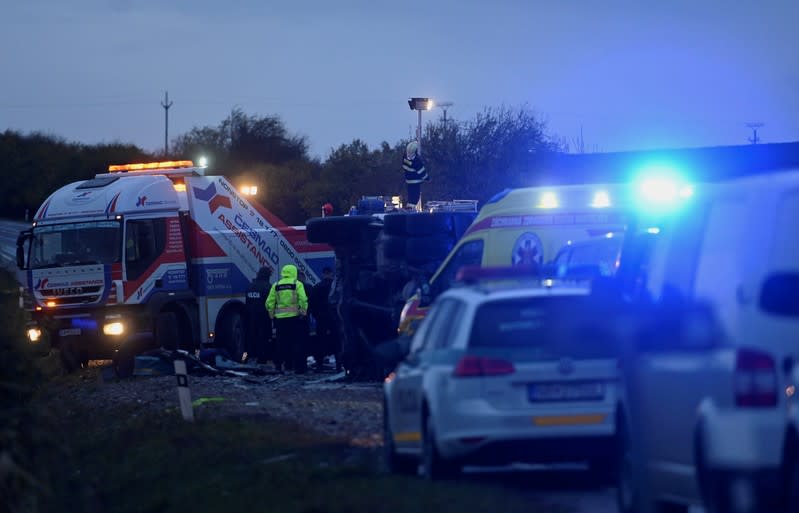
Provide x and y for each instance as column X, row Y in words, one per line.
column 259, row 326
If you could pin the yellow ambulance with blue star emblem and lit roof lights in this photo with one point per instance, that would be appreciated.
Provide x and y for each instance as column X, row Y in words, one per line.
column 558, row 231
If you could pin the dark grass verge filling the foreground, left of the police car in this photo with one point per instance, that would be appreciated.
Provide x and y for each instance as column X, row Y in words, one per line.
column 62, row 456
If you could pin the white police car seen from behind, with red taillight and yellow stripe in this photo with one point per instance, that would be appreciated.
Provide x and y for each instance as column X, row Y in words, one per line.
column 503, row 375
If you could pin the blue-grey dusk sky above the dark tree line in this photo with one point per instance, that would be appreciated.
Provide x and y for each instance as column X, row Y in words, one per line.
column 634, row 75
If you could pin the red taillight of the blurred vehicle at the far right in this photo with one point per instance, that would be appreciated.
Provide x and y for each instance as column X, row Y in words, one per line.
column 755, row 379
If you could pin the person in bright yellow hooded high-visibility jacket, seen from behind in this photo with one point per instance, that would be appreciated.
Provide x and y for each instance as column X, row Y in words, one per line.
column 287, row 304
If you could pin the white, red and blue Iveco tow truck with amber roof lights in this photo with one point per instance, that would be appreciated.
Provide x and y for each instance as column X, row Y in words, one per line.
column 152, row 255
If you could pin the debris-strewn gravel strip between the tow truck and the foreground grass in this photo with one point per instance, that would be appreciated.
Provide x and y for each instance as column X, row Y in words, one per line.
column 317, row 401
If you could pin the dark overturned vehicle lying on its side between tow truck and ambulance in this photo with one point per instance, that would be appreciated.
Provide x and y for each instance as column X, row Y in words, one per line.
column 383, row 255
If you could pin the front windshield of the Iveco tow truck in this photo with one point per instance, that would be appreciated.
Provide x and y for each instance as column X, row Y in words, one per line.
column 94, row 242
